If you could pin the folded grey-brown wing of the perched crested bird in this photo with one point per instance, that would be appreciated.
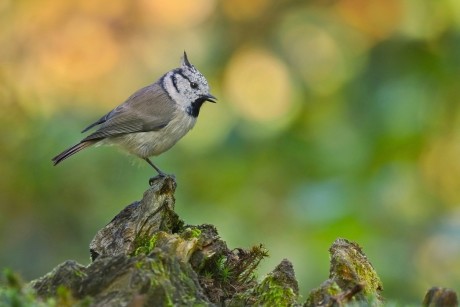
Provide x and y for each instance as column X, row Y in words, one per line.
column 148, row 109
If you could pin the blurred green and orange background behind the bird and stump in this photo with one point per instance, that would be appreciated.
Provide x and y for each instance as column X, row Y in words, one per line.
column 335, row 119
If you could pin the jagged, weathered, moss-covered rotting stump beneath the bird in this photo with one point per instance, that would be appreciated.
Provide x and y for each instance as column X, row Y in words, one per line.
column 147, row 256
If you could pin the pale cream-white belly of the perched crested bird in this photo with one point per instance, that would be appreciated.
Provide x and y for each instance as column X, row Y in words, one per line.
column 153, row 143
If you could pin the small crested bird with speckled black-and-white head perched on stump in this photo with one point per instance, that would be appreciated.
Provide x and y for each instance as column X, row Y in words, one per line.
column 152, row 119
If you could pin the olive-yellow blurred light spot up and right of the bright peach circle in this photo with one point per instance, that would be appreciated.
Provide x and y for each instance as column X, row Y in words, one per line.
column 316, row 52
